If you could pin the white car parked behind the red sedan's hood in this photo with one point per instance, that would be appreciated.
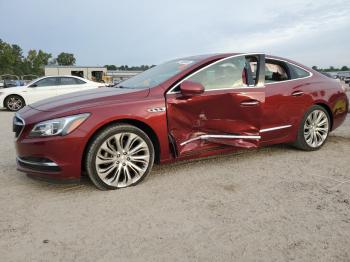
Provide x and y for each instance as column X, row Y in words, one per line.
column 14, row 98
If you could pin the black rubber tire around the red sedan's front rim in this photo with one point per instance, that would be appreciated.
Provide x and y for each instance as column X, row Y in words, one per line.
column 99, row 139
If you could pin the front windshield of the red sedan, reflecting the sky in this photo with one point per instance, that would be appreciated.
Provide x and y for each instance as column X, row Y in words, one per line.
column 158, row 74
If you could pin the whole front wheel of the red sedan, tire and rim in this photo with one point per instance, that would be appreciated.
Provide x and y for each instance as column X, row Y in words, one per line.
column 119, row 156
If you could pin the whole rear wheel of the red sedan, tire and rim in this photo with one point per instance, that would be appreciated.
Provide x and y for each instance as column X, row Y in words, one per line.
column 314, row 129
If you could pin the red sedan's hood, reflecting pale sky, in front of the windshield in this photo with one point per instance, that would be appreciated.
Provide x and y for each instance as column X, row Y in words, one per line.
column 89, row 98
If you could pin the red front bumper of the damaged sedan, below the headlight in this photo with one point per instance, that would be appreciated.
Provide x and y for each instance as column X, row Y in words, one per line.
column 56, row 158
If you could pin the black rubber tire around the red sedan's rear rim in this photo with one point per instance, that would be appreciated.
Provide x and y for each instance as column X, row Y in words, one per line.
column 301, row 140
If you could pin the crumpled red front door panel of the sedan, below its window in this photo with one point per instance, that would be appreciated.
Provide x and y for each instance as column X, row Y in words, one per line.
column 215, row 119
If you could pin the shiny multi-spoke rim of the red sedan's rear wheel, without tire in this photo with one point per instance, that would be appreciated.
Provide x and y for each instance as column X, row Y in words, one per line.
column 316, row 128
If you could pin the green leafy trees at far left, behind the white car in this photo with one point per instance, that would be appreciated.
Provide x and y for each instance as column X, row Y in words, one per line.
column 14, row 62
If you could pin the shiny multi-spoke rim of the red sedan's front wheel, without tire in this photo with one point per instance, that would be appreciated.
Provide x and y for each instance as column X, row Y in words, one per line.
column 122, row 159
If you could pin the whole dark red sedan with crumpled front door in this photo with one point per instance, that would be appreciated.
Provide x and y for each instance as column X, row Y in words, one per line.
column 185, row 108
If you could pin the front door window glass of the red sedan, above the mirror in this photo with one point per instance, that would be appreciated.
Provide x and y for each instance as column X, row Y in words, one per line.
column 225, row 74
